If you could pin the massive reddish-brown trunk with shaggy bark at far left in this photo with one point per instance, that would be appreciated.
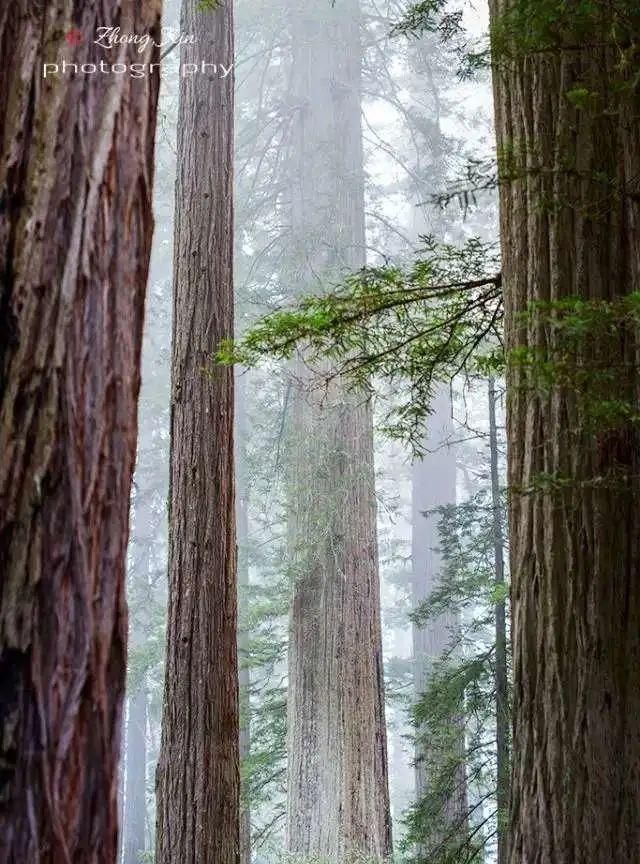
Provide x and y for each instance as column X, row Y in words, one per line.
column 76, row 166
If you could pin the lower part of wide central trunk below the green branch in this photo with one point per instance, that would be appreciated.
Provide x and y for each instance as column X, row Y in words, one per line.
column 338, row 798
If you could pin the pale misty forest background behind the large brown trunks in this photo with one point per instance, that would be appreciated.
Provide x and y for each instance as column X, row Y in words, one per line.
column 407, row 132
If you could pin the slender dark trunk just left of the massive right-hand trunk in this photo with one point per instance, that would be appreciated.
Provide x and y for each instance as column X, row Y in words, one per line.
column 501, row 673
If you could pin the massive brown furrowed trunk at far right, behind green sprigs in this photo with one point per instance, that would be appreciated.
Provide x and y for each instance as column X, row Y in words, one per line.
column 570, row 217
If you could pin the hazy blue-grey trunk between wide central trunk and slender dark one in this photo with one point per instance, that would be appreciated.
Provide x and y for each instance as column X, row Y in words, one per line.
column 433, row 485
